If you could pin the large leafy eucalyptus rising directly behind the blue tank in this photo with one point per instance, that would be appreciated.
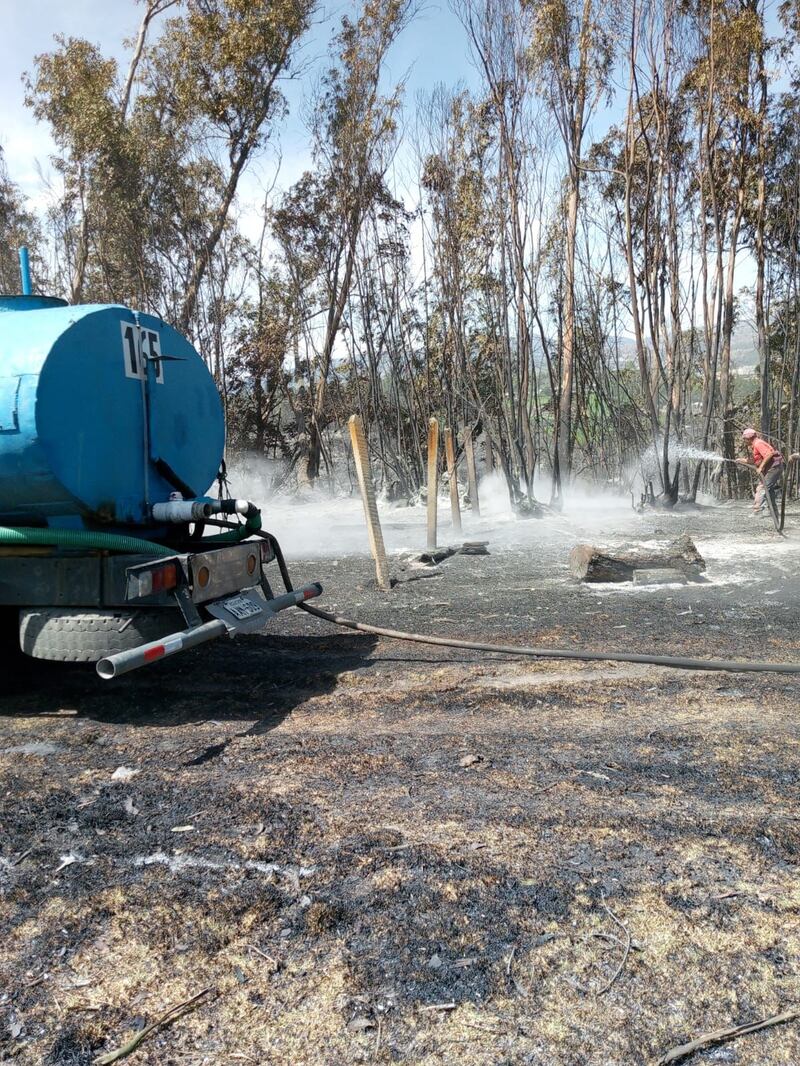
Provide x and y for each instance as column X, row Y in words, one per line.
column 152, row 163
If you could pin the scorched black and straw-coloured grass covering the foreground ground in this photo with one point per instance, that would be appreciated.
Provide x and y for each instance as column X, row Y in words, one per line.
column 371, row 851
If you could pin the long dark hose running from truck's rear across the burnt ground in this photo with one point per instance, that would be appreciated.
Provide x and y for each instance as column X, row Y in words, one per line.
column 676, row 663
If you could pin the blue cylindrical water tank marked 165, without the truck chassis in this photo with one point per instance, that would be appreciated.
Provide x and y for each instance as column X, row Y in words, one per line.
column 104, row 412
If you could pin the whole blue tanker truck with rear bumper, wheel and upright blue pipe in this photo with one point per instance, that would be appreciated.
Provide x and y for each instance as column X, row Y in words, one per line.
column 113, row 551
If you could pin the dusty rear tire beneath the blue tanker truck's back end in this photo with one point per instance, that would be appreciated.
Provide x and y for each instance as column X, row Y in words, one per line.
column 79, row 636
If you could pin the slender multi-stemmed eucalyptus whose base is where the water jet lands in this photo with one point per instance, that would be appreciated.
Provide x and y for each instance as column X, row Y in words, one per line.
column 645, row 171
